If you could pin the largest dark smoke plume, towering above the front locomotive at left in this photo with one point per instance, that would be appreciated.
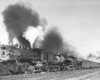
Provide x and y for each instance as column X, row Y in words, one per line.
column 17, row 18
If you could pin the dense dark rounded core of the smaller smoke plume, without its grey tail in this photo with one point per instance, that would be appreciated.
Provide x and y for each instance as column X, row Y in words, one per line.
column 52, row 41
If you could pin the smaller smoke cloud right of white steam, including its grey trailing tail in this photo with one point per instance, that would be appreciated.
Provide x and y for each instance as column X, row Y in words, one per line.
column 53, row 43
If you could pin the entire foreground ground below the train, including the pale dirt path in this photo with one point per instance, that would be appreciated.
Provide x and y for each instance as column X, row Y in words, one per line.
column 87, row 74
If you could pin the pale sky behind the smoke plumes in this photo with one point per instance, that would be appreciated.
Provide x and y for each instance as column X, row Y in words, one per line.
column 77, row 20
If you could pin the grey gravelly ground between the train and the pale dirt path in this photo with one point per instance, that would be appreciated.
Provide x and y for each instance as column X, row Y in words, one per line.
column 49, row 76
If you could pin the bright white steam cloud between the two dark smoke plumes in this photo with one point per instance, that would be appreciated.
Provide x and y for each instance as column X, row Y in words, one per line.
column 32, row 33
